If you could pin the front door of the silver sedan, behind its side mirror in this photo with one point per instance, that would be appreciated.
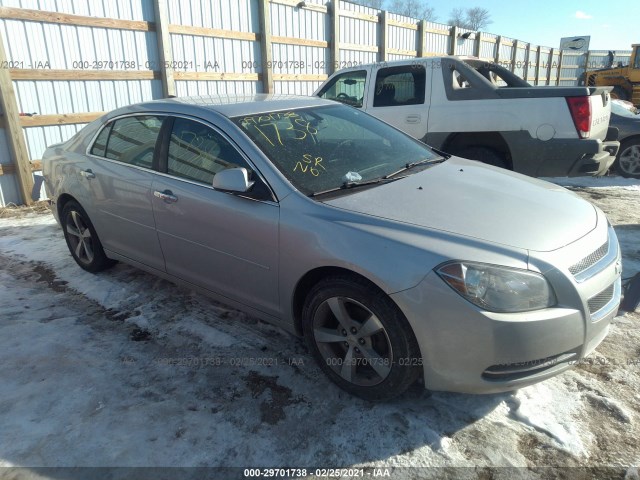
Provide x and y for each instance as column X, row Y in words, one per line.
column 223, row 242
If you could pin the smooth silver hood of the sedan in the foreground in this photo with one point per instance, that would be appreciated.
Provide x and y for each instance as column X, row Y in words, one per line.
column 475, row 200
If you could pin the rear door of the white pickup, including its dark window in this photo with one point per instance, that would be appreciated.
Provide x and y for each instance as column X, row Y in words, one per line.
column 398, row 97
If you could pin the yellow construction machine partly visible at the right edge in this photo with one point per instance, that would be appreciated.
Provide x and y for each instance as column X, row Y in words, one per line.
column 624, row 79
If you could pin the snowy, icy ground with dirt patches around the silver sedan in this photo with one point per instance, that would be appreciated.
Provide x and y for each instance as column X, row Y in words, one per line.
column 125, row 369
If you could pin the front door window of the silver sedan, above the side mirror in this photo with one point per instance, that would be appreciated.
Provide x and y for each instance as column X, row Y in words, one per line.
column 197, row 152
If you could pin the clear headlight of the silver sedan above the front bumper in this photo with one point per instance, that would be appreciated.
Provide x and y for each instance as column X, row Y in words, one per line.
column 498, row 289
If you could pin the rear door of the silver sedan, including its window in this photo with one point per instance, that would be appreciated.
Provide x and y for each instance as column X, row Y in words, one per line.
column 119, row 182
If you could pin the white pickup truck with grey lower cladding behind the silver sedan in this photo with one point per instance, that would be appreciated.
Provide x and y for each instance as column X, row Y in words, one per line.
column 480, row 110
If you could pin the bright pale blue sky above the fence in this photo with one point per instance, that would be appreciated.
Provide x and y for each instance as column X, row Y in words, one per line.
column 611, row 25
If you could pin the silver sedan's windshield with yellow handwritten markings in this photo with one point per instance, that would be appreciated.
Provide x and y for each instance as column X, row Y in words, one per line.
column 333, row 147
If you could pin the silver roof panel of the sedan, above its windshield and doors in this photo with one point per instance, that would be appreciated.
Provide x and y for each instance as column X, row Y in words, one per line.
column 233, row 105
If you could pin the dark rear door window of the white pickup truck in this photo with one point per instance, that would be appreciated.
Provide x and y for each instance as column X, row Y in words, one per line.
column 403, row 85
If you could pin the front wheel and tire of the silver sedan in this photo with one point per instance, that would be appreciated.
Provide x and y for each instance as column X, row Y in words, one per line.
column 382, row 362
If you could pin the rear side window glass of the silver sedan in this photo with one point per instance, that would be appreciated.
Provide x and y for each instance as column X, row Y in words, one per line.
column 132, row 140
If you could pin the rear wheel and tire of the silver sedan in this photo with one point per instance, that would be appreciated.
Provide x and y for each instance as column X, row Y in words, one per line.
column 82, row 239
